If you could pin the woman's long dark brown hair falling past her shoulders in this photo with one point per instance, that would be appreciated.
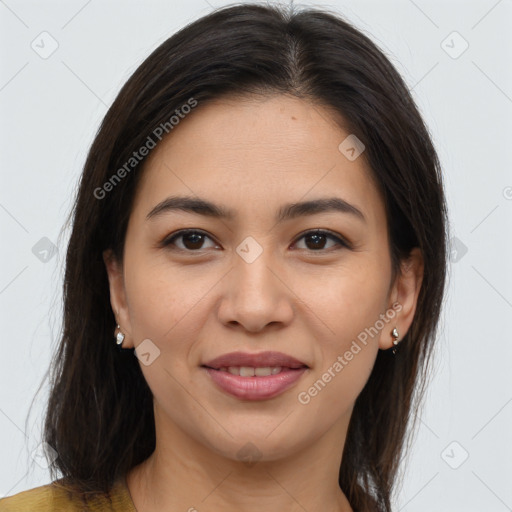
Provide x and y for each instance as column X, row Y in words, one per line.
column 99, row 417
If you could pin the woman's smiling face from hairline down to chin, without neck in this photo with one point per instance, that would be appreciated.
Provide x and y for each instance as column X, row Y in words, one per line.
column 258, row 281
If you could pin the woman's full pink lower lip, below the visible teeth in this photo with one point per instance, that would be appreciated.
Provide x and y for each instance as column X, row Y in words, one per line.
column 255, row 388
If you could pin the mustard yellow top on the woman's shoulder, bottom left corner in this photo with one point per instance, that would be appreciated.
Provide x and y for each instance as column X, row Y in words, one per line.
column 55, row 498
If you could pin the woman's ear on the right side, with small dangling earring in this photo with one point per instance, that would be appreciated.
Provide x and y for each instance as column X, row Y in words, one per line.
column 404, row 295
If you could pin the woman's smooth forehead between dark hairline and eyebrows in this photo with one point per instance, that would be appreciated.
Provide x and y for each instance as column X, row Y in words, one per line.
column 250, row 152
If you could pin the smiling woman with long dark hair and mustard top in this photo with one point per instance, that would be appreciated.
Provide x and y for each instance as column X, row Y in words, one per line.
column 261, row 221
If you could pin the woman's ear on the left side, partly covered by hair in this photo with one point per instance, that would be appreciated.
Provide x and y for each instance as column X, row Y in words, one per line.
column 118, row 296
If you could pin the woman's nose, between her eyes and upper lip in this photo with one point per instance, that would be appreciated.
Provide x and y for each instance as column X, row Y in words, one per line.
column 256, row 295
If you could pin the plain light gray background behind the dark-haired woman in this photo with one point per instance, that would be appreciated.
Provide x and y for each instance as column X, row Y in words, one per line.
column 51, row 108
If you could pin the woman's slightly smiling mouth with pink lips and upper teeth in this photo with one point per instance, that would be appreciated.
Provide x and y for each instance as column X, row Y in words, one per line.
column 255, row 376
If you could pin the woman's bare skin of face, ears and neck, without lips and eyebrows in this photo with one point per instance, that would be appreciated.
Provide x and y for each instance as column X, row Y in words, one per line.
column 309, row 299
